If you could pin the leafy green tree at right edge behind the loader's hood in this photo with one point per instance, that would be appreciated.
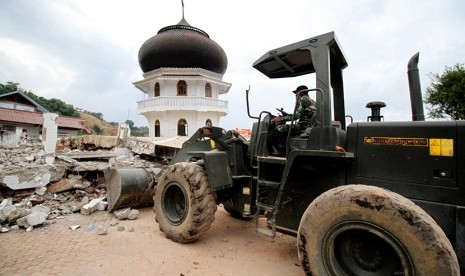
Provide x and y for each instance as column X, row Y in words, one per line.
column 446, row 93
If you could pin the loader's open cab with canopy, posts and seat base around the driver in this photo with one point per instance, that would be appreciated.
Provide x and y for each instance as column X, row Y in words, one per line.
column 323, row 56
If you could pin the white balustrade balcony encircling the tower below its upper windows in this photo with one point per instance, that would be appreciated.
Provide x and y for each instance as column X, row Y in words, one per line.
column 182, row 103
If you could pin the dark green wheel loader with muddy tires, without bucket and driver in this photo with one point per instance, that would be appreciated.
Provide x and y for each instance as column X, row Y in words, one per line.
column 364, row 198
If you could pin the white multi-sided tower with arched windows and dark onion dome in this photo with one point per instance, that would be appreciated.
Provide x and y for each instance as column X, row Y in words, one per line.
column 183, row 70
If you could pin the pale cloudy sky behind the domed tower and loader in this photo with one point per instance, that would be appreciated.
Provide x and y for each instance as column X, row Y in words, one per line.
column 85, row 52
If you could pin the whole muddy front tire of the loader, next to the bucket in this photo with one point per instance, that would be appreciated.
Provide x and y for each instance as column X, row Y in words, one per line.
column 184, row 204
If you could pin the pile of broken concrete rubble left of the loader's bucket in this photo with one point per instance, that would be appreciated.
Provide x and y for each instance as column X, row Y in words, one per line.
column 33, row 193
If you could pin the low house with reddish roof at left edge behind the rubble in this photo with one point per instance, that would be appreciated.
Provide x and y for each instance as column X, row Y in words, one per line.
column 22, row 118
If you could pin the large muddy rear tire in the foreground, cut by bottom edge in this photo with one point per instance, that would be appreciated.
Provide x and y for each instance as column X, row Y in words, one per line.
column 365, row 230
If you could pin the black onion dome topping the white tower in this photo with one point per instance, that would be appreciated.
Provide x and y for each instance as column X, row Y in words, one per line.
column 182, row 46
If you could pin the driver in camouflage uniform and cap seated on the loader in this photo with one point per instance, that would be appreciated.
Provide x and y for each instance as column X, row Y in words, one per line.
column 303, row 117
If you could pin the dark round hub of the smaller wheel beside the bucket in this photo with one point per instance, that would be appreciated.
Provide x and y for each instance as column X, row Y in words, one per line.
column 175, row 203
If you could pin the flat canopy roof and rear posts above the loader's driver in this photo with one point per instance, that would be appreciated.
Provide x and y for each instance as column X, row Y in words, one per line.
column 321, row 55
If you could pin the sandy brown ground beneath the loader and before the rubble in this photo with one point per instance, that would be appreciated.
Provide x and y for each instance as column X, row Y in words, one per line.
column 230, row 247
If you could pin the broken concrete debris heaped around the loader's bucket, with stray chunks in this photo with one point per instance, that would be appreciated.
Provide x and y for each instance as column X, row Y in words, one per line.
column 34, row 193
